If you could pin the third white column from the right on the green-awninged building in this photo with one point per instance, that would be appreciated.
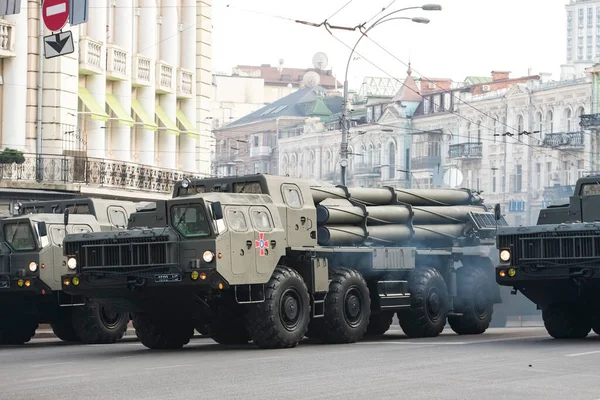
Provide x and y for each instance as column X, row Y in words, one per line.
column 145, row 140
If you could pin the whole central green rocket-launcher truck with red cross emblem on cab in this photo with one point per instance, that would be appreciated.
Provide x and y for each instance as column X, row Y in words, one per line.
column 271, row 259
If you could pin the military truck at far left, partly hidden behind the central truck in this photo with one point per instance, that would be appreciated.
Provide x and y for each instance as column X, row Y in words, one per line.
column 31, row 266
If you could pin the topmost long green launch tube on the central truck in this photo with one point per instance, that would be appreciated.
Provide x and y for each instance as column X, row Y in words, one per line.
column 382, row 196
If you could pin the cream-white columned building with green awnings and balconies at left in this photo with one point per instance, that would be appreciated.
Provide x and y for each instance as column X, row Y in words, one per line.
column 129, row 109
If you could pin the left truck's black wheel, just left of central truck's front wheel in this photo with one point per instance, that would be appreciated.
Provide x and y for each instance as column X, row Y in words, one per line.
column 96, row 324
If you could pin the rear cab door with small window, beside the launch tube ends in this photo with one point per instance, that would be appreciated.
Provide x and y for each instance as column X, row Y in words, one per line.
column 300, row 221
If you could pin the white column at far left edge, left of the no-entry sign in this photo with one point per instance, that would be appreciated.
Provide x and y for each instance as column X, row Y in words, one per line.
column 14, row 93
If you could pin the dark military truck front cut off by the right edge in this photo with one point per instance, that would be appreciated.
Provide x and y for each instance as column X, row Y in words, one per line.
column 556, row 263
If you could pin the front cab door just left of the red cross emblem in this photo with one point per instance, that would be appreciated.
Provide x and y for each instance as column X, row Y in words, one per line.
column 240, row 234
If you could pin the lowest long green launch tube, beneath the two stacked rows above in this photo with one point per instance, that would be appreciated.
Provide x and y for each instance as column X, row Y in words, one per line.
column 390, row 235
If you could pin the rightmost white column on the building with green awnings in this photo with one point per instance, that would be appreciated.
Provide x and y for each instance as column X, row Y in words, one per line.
column 187, row 142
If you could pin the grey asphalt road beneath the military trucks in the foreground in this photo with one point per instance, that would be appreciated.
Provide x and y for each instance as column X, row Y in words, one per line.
column 508, row 363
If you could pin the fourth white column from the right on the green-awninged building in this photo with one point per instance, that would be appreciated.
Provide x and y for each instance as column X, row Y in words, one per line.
column 123, row 37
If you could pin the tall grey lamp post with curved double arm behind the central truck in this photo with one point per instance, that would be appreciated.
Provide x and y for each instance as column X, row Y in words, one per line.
column 344, row 145
